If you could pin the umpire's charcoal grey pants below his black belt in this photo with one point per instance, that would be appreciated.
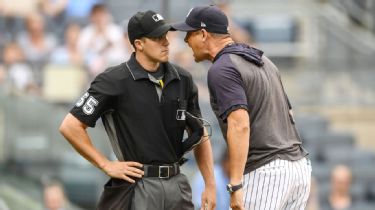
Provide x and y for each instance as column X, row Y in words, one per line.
column 163, row 194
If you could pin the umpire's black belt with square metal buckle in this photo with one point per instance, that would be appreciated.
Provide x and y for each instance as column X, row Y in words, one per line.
column 162, row 172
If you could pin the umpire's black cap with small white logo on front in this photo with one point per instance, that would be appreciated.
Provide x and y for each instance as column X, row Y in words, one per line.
column 147, row 24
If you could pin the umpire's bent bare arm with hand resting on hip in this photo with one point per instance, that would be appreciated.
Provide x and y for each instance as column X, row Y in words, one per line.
column 75, row 132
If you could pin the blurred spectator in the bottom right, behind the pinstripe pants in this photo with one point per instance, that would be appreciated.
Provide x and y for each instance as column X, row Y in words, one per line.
column 339, row 197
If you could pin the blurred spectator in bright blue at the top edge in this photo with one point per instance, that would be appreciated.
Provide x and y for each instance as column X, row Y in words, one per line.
column 79, row 11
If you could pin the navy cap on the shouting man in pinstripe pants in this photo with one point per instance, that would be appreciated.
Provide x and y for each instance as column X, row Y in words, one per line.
column 210, row 18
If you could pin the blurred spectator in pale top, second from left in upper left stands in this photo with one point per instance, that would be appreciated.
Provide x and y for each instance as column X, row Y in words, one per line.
column 36, row 44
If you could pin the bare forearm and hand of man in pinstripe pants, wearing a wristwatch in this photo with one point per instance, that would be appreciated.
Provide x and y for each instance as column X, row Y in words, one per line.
column 238, row 135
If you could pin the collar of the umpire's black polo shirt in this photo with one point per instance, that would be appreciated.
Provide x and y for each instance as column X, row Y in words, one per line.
column 138, row 72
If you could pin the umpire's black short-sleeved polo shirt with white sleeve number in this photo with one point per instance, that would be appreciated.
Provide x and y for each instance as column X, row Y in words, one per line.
column 141, row 127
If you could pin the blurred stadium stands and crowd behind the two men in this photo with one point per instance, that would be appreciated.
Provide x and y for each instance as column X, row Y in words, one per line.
column 52, row 49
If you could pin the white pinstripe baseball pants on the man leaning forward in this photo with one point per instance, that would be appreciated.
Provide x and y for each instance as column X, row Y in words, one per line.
column 278, row 185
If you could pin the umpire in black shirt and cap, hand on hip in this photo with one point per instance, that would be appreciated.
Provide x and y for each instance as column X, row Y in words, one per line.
column 142, row 103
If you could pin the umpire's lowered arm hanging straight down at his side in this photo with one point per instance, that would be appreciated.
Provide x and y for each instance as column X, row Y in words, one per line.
column 203, row 156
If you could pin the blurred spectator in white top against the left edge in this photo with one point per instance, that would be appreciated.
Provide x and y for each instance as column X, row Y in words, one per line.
column 16, row 75
